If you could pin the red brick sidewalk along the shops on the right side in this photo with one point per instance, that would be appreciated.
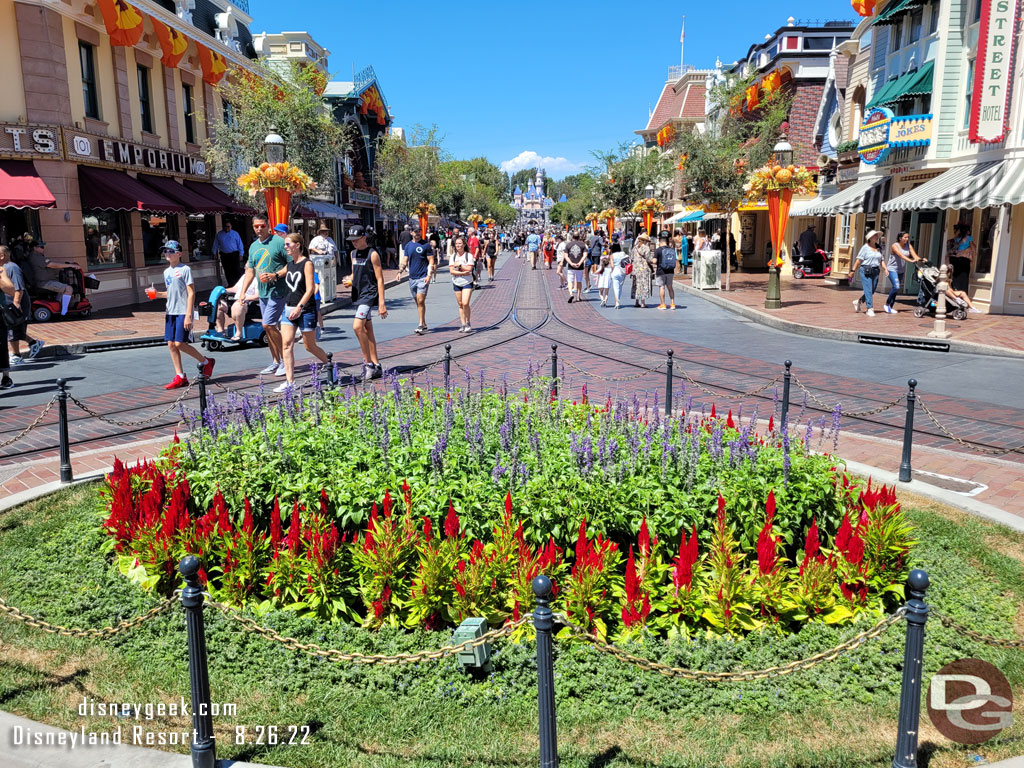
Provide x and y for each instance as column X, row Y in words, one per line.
column 814, row 308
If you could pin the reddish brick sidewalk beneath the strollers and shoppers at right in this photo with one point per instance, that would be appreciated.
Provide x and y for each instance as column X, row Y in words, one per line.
column 816, row 304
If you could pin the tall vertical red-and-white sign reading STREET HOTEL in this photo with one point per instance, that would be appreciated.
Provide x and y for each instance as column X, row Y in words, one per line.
column 994, row 80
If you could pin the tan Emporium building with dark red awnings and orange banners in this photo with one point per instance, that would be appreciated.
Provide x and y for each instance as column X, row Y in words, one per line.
column 110, row 114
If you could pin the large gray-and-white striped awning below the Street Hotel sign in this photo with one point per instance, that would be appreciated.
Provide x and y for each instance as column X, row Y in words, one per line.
column 964, row 188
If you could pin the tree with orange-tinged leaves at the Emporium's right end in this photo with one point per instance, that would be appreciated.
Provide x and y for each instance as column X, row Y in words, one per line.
column 287, row 103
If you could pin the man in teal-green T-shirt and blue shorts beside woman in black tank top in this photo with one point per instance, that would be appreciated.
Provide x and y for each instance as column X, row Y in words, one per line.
column 267, row 264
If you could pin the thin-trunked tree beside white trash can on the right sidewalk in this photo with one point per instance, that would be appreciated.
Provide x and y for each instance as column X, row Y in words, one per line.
column 718, row 162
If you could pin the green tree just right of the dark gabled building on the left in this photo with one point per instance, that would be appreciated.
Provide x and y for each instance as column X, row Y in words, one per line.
column 408, row 174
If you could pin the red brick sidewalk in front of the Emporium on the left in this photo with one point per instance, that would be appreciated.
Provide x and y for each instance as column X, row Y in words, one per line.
column 137, row 324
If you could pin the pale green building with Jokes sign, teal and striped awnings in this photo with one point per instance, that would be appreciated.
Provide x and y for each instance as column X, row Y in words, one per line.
column 935, row 110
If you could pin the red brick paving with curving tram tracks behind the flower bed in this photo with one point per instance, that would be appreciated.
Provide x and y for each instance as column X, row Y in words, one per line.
column 612, row 360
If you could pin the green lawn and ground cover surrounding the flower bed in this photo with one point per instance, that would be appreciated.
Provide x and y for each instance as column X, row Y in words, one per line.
column 839, row 714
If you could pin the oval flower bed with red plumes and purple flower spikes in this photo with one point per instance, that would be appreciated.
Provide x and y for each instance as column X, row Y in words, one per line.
column 279, row 501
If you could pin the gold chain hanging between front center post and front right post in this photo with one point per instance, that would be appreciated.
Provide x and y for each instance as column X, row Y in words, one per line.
column 743, row 675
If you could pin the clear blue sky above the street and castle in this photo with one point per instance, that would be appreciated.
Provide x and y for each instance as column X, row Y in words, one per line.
column 550, row 79
